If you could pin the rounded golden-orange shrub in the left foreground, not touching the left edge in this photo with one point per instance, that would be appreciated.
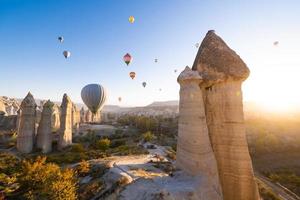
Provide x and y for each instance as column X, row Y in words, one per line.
column 41, row 180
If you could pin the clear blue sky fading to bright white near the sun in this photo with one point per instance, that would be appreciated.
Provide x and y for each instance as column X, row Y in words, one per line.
column 98, row 35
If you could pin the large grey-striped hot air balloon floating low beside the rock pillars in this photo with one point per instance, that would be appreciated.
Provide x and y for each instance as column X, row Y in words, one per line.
column 93, row 96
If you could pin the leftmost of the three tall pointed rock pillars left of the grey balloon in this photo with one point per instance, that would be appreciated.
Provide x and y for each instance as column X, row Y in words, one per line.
column 26, row 129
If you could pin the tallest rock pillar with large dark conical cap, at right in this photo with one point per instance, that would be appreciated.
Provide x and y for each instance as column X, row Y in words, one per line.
column 223, row 72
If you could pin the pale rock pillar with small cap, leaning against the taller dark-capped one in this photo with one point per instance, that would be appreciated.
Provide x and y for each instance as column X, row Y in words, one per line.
column 194, row 151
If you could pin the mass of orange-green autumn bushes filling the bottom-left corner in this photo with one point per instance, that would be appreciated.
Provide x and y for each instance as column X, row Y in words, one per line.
column 37, row 179
